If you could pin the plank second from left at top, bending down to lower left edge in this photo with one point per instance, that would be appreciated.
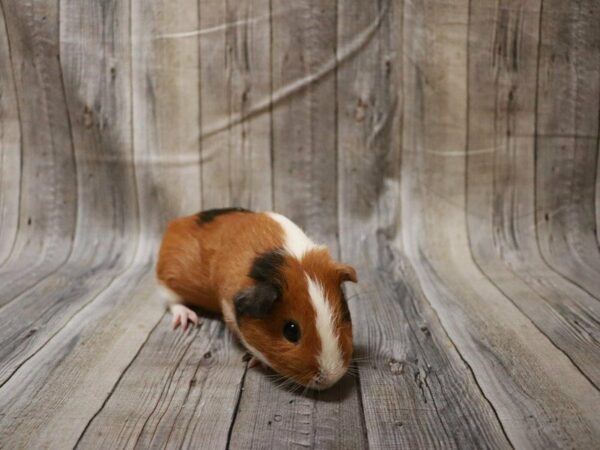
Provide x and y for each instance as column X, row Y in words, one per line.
column 101, row 130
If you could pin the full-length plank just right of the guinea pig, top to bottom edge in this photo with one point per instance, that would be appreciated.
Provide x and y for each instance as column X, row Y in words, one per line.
column 412, row 370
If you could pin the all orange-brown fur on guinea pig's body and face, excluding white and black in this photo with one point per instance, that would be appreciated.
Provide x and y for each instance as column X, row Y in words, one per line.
column 204, row 263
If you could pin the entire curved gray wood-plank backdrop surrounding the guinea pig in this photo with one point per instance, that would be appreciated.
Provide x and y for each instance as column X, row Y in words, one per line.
column 448, row 149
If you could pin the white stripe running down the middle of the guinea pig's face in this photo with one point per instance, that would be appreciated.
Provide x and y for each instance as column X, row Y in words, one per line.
column 330, row 359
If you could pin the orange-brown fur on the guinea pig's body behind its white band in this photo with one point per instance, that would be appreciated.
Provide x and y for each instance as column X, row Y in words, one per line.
column 205, row 263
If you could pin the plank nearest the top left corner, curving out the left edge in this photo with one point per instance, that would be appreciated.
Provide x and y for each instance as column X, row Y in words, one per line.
column 47, row 207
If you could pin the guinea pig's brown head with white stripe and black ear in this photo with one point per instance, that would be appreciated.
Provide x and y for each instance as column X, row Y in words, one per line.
column 295, row 317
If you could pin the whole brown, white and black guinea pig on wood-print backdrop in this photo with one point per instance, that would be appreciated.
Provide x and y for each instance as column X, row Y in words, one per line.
column 277, row 290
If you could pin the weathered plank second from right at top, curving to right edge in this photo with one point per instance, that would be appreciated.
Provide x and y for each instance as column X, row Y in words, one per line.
column 502, row 205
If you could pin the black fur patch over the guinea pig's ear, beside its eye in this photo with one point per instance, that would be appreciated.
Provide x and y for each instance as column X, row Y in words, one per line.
column 258, row 301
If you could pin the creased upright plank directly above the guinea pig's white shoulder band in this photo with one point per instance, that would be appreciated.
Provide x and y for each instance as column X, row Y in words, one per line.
column 304, row 121
